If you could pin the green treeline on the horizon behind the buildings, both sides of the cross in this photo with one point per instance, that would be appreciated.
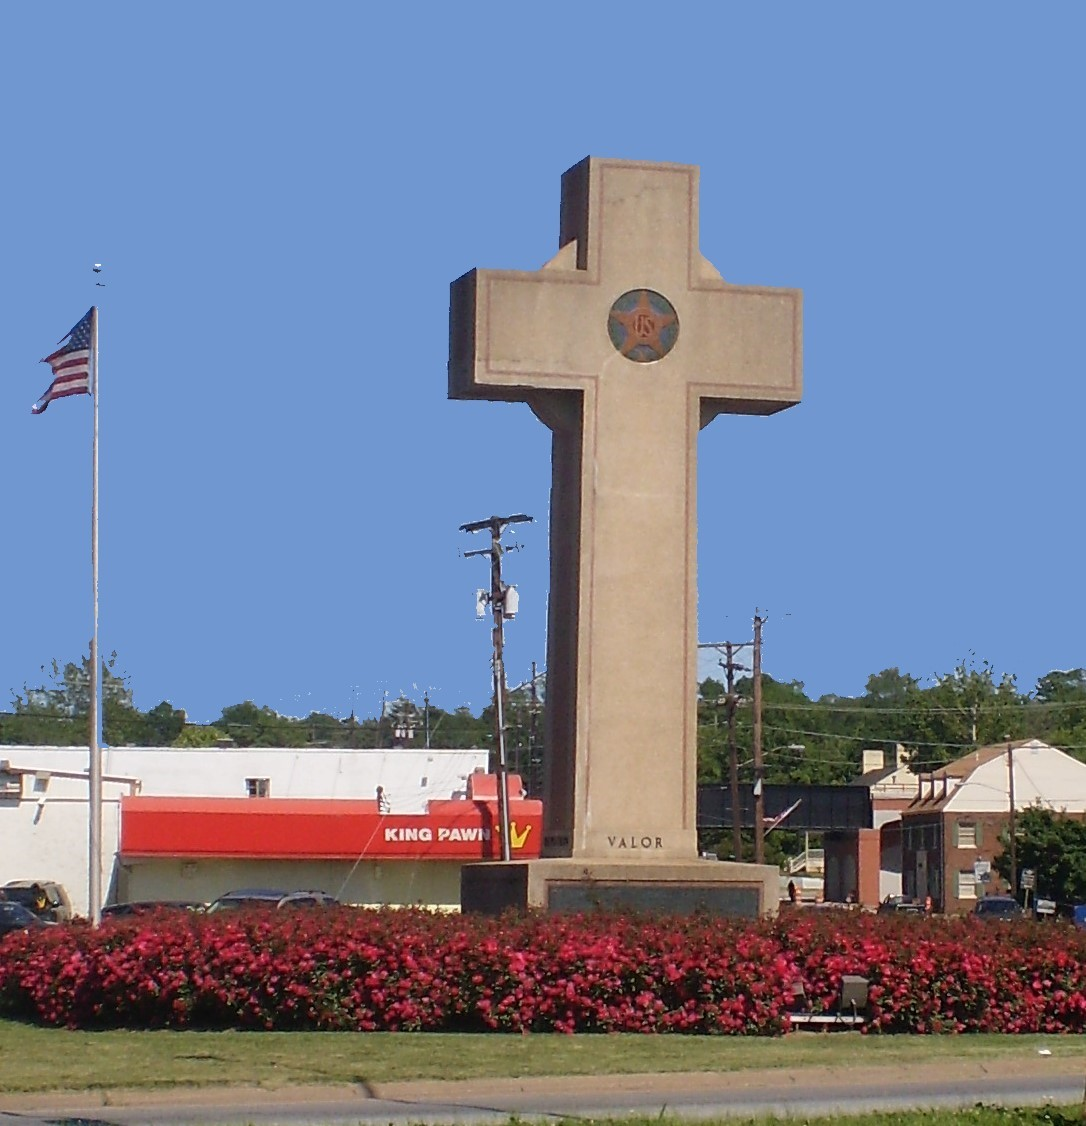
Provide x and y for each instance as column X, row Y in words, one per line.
column 805, row 740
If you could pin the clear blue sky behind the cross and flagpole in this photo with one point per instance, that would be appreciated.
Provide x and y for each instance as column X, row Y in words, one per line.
column 281, row 195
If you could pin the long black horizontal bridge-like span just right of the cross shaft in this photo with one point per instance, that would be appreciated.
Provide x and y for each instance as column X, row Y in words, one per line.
column 821, row 807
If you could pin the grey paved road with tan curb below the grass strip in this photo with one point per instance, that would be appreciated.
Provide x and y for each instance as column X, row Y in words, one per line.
column 951, row 1084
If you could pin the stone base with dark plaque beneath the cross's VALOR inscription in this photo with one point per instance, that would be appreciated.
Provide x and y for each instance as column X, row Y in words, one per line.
column 662, row 888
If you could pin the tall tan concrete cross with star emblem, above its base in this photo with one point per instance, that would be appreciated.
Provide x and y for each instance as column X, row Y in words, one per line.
column 625, row 345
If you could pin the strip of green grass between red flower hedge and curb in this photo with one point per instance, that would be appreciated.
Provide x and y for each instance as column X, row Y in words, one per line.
column 47, row 1059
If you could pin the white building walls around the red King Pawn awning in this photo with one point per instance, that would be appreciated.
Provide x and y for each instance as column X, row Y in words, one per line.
column 44, row 825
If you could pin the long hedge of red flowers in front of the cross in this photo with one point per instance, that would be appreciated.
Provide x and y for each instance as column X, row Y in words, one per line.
column 416, row 971
